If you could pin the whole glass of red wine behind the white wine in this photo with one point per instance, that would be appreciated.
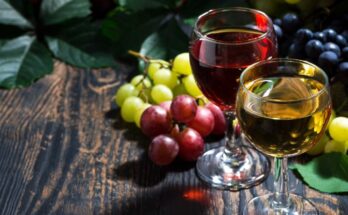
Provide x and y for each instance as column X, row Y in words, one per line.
column 224, row 42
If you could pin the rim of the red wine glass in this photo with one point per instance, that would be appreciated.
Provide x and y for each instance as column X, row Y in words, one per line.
column 240, row 9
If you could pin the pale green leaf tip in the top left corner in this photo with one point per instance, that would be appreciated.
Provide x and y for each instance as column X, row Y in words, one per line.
column 10, row 16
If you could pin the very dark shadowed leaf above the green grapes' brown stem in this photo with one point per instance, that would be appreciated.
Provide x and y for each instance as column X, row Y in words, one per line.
column 128, row 30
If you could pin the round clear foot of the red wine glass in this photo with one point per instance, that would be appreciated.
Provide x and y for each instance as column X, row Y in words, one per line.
column 232, row 173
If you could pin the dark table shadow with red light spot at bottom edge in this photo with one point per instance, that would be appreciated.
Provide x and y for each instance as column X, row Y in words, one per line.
column 166, row 200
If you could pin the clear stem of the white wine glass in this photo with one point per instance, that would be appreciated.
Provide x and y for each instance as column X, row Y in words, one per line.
column 281, row 197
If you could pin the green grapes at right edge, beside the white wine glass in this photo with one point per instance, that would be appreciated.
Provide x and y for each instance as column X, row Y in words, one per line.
column 335, row 139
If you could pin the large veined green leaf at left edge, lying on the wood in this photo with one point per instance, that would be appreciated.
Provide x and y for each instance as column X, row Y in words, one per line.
column 22, row 61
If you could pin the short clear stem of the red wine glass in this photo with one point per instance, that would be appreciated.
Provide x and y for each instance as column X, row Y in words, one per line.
column 232, row 152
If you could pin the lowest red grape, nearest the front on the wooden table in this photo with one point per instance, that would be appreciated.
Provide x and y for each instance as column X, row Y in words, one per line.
column 163, row 150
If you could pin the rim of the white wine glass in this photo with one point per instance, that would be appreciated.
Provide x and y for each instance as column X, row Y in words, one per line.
column 288, row 60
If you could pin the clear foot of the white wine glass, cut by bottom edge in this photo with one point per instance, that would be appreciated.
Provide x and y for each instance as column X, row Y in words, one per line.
column 297, row 205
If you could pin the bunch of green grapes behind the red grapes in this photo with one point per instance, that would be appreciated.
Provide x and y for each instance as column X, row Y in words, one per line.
column 161, row 81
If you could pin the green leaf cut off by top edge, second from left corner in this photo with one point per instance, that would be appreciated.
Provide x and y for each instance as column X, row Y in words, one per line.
column 57, row 11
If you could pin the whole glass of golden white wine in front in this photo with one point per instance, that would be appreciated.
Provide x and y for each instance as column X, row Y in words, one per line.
column 283, row 106
